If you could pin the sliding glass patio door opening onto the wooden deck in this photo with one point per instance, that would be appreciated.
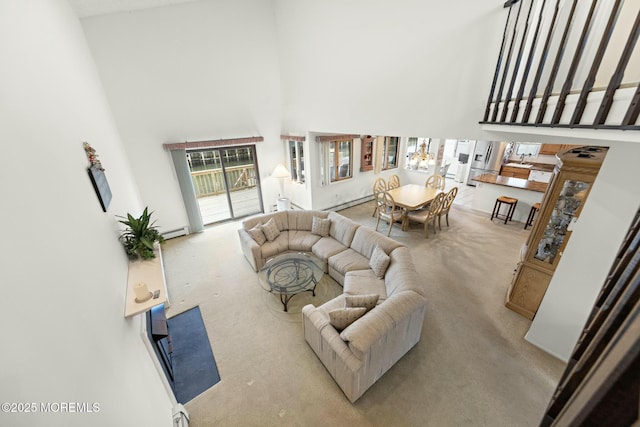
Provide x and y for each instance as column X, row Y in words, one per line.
column 226, row 182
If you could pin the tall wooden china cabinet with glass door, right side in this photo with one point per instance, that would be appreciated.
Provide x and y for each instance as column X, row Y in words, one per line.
column 568, row 189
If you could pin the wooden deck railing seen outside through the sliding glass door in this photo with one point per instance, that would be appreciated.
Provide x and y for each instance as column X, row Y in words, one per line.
column 211, row 182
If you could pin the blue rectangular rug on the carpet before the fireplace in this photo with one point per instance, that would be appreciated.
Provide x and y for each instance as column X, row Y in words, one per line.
column 194, row 367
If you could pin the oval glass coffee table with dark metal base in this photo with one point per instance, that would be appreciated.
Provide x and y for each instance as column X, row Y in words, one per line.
column 290, row 274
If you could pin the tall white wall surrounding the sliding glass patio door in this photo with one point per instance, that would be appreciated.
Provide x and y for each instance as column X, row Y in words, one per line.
column 191, row 72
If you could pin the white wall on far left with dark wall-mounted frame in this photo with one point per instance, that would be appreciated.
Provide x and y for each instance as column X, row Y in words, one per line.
column 63, row 270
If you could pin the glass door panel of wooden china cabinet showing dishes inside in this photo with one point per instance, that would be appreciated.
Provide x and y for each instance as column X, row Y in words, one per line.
column 567, row 205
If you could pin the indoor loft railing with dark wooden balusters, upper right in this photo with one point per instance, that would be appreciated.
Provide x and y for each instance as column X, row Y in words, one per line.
column 568, row 63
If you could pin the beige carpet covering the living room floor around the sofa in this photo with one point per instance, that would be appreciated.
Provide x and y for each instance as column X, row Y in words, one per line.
column 471, row 367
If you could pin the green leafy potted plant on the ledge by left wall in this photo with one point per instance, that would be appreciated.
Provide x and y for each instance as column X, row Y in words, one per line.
column 140, row 235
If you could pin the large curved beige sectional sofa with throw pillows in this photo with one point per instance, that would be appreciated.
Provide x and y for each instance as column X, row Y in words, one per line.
column 371, row 268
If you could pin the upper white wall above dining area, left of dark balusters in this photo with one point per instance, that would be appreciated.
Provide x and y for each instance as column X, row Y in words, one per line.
column 407, row 67
